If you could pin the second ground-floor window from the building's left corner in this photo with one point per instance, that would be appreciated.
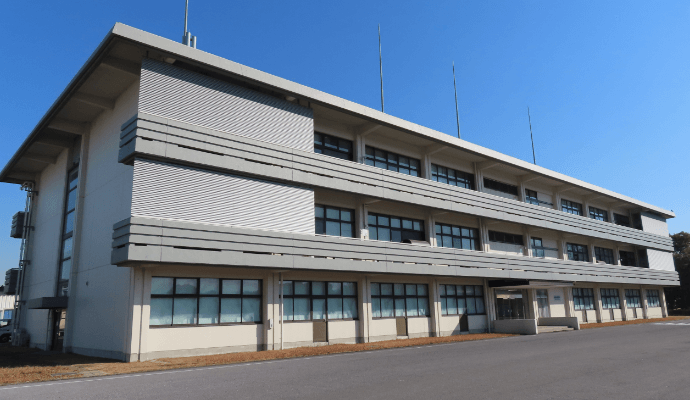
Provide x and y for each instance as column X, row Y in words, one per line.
column 303, row 301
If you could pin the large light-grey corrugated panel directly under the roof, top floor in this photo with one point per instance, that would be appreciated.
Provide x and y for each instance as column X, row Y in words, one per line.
column 186, row 96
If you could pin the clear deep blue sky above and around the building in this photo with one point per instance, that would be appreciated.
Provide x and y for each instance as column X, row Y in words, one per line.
column 607, row 82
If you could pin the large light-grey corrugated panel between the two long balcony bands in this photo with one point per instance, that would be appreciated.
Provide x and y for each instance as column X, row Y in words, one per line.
column 188, row 194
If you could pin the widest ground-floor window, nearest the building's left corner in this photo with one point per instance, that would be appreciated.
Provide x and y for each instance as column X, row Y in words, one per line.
column 204, row 301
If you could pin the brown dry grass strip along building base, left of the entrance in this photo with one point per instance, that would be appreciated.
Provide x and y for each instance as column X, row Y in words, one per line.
column 23, row 365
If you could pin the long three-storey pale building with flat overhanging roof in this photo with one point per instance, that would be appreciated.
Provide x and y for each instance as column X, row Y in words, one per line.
column 183, row 204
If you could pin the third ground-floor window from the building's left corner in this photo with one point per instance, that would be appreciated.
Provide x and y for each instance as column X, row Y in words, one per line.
column 389, row 300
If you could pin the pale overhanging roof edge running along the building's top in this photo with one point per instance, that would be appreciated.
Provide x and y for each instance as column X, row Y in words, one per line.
column 250, row 75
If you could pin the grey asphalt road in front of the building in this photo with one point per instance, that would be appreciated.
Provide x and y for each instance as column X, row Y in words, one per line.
column 649, row 361
